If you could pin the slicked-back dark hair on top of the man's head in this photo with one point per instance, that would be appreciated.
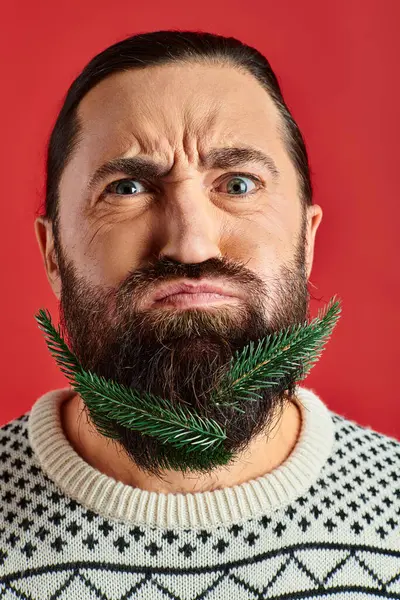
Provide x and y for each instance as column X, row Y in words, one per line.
column 157, row 48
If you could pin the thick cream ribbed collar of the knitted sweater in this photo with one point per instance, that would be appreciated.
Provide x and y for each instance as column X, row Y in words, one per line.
column 112, row 499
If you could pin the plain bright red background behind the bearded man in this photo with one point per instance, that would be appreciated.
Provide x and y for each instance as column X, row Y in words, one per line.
column 338, row 64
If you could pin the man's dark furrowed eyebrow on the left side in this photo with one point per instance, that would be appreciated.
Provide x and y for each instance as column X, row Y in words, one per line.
column 134, row 167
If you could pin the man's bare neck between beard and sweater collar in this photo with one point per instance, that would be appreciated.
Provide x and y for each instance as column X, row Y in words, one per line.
column 264, row 454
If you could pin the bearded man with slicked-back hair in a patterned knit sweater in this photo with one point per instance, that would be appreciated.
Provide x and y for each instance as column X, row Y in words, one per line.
column 178, row 226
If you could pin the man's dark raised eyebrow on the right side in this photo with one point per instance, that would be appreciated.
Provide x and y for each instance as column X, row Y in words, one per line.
column 228, row 158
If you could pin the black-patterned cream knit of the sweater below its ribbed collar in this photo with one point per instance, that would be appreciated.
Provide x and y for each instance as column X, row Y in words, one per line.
column 340, row 539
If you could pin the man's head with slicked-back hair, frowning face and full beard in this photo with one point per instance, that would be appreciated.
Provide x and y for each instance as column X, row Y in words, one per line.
column 175, row 158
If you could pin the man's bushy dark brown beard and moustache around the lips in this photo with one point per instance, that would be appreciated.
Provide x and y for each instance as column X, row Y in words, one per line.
column 181, row 354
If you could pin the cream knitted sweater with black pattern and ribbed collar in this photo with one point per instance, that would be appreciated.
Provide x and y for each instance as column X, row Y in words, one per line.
column 324, row 524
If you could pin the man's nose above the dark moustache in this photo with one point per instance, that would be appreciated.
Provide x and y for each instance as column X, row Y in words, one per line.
column 190, row 226
